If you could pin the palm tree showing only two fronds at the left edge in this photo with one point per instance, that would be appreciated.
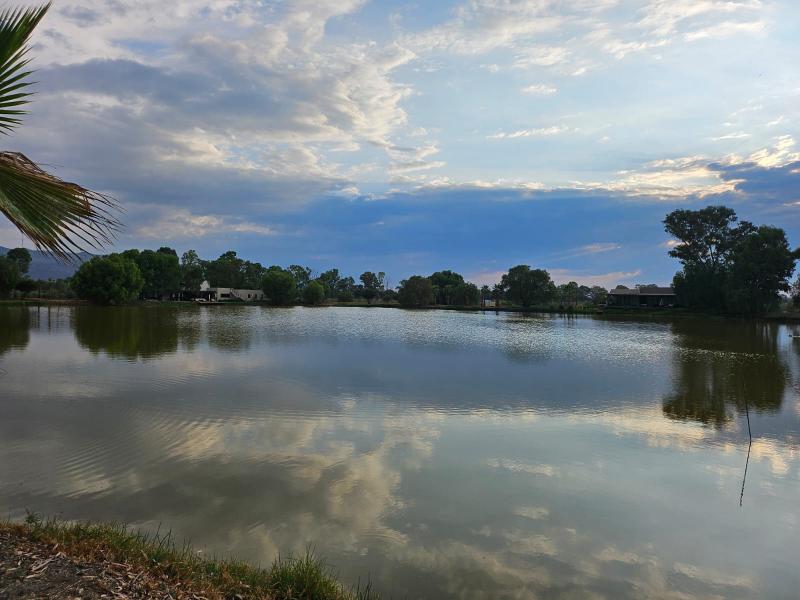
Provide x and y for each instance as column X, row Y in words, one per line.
column 60, row 217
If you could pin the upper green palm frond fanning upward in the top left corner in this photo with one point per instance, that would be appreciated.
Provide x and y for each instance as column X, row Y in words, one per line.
column 16, row 27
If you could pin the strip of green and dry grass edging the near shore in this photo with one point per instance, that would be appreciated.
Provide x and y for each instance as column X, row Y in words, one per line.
column 157, row 559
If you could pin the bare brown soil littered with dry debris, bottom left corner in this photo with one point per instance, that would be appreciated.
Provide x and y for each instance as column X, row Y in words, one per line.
column 34, row 570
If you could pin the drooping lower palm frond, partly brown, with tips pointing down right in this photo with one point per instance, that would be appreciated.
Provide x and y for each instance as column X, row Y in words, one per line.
column 59, row 217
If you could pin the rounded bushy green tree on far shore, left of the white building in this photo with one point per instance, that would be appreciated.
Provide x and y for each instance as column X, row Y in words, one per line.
column 111, row 279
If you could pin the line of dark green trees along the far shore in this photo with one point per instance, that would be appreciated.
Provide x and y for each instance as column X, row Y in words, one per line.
column 728, row 266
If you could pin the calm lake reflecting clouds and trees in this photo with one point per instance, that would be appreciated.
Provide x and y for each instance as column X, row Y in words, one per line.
column 441, row 454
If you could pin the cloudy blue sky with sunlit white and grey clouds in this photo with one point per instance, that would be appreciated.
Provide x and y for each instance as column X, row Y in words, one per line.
column 409, row 137
